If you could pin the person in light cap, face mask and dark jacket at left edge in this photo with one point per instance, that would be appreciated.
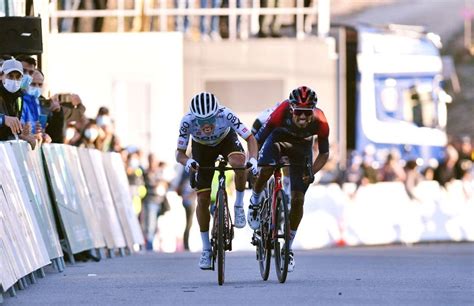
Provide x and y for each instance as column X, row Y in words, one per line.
column 11, row 101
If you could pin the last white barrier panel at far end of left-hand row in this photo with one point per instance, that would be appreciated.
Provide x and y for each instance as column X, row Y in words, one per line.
column 119, row 187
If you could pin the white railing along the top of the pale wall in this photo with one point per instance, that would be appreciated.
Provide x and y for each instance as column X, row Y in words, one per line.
column 319, row 9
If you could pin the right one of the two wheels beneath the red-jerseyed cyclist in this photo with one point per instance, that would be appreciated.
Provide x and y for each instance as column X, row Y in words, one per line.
column 281, row 246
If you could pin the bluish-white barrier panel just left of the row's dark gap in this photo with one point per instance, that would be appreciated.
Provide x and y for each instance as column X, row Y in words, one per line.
column 27, row 161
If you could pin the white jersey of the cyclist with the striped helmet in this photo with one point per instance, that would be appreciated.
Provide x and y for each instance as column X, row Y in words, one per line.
column 225, row 120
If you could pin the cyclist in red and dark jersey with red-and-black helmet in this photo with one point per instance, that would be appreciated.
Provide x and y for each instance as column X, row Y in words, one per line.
column 289, row 132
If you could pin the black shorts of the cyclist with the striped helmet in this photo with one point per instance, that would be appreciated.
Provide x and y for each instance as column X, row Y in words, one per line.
column 207, row 155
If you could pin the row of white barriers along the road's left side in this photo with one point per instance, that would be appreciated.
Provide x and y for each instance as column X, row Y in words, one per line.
column 59, row 199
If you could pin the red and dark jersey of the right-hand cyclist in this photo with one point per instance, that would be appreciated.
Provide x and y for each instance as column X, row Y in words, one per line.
column 281, row 120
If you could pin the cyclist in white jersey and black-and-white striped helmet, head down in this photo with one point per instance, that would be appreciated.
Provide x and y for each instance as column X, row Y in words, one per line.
column 214, row 129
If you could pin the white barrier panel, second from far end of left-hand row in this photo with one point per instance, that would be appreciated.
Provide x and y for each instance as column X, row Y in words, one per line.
column 106, row 197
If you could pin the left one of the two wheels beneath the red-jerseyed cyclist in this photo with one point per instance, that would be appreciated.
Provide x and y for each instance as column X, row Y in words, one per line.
column 264, row 250
